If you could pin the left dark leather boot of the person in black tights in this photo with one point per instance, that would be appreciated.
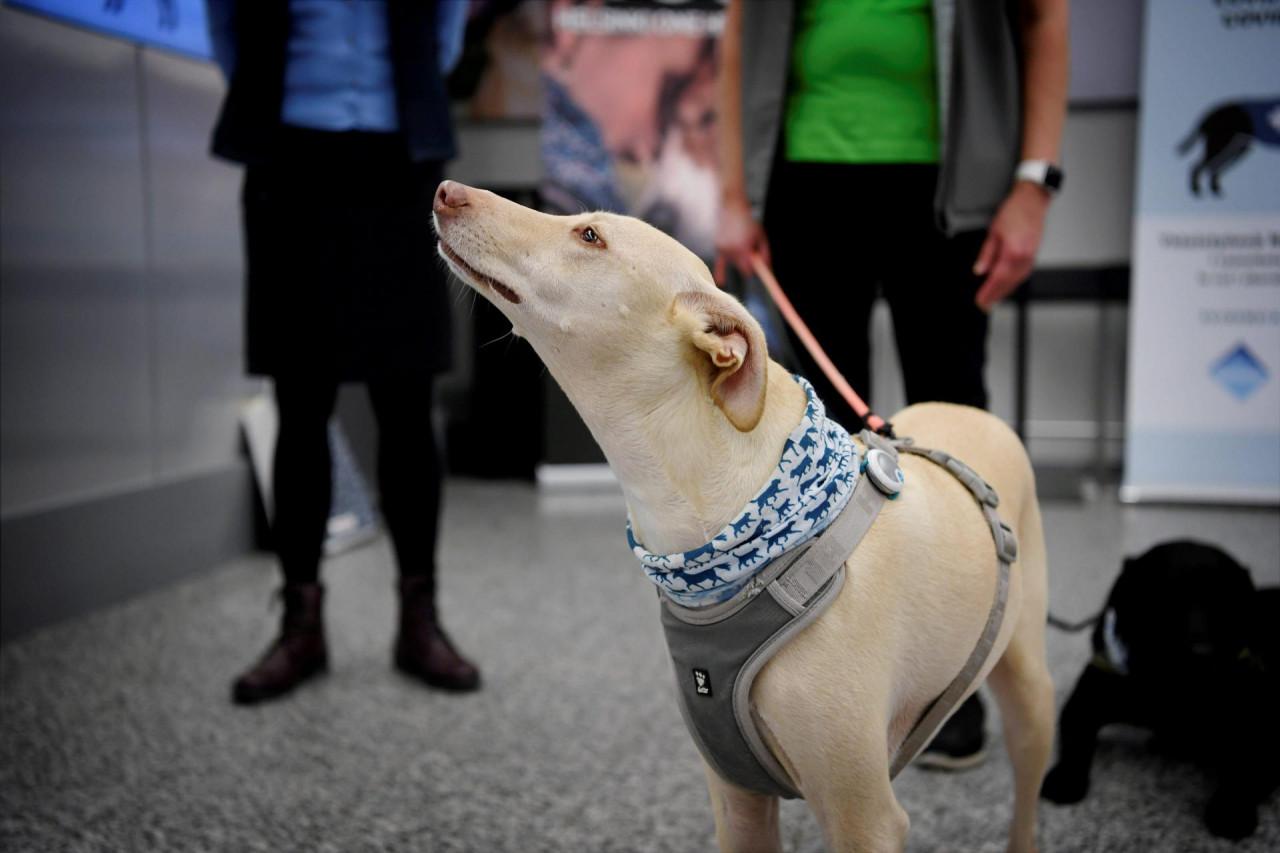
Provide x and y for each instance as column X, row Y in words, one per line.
column 298, row 655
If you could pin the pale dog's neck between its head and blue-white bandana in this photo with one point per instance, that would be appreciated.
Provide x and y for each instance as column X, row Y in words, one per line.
column 684, row 468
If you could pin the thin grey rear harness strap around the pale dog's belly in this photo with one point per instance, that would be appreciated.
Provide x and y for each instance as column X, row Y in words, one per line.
column 1007, row 551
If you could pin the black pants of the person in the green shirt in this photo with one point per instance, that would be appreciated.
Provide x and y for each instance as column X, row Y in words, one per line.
column 842, row 235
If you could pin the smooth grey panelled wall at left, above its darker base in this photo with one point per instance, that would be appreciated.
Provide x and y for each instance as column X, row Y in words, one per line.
column 120, row 322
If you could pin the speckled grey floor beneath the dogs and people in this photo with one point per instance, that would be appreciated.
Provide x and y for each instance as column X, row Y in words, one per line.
column 118, row 735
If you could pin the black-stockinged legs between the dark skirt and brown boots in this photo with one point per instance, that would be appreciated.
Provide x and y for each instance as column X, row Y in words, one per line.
column 409, row 472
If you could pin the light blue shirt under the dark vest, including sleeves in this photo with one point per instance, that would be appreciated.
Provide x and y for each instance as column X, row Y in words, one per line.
column 339, row 72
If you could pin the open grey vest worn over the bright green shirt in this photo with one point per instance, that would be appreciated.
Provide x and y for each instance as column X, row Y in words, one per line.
column 980, row 103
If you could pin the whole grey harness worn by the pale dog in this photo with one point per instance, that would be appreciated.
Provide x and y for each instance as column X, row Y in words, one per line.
column 719, row 651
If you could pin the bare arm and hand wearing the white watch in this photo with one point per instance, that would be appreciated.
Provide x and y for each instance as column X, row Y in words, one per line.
column 1008, row 256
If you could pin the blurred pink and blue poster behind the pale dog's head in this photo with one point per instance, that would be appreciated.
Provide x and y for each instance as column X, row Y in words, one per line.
column 630, row 120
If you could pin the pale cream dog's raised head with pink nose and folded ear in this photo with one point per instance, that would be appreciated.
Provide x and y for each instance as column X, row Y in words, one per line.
column 609, row 303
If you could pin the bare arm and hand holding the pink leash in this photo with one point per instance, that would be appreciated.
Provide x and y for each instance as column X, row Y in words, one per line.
column 738, row 235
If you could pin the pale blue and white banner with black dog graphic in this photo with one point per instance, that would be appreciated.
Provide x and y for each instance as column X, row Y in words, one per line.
column 1204, row 400
